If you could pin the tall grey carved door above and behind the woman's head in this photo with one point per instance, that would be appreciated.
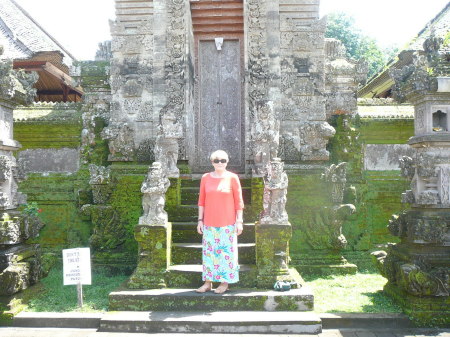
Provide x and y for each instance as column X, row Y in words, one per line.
column 219, row 101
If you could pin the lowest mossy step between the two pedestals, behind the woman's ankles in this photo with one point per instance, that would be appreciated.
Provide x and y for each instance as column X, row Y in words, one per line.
column 190, row 276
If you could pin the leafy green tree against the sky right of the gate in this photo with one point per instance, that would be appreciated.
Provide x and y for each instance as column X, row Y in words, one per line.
column 342, row 26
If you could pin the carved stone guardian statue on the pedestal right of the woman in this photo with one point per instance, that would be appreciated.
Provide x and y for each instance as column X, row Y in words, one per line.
column 275, row 192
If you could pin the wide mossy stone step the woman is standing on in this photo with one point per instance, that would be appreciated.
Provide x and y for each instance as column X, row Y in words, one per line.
column 175, row 300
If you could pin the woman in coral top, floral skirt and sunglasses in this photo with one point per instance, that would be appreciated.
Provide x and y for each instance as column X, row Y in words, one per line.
column 220, row 221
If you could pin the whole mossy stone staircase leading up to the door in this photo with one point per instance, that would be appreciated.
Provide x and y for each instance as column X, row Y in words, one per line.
column 178, row 308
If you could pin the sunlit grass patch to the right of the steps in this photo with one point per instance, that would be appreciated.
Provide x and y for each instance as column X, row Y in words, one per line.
column 362, row 292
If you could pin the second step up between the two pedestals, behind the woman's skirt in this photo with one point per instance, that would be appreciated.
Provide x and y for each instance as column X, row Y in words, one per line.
column 191, row 253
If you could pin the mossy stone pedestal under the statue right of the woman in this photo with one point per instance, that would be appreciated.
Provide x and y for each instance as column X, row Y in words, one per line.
column 272, row 255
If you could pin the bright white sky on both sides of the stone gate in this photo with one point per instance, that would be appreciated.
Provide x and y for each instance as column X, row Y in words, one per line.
column 79, row 26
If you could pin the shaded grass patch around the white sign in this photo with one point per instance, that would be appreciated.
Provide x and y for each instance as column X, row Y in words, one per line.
column 57, row 297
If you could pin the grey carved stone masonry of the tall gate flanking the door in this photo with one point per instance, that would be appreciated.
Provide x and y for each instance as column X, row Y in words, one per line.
column 288, row 66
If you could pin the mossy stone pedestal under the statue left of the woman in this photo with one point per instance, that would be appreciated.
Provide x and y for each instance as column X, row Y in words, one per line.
column 154, row 243
